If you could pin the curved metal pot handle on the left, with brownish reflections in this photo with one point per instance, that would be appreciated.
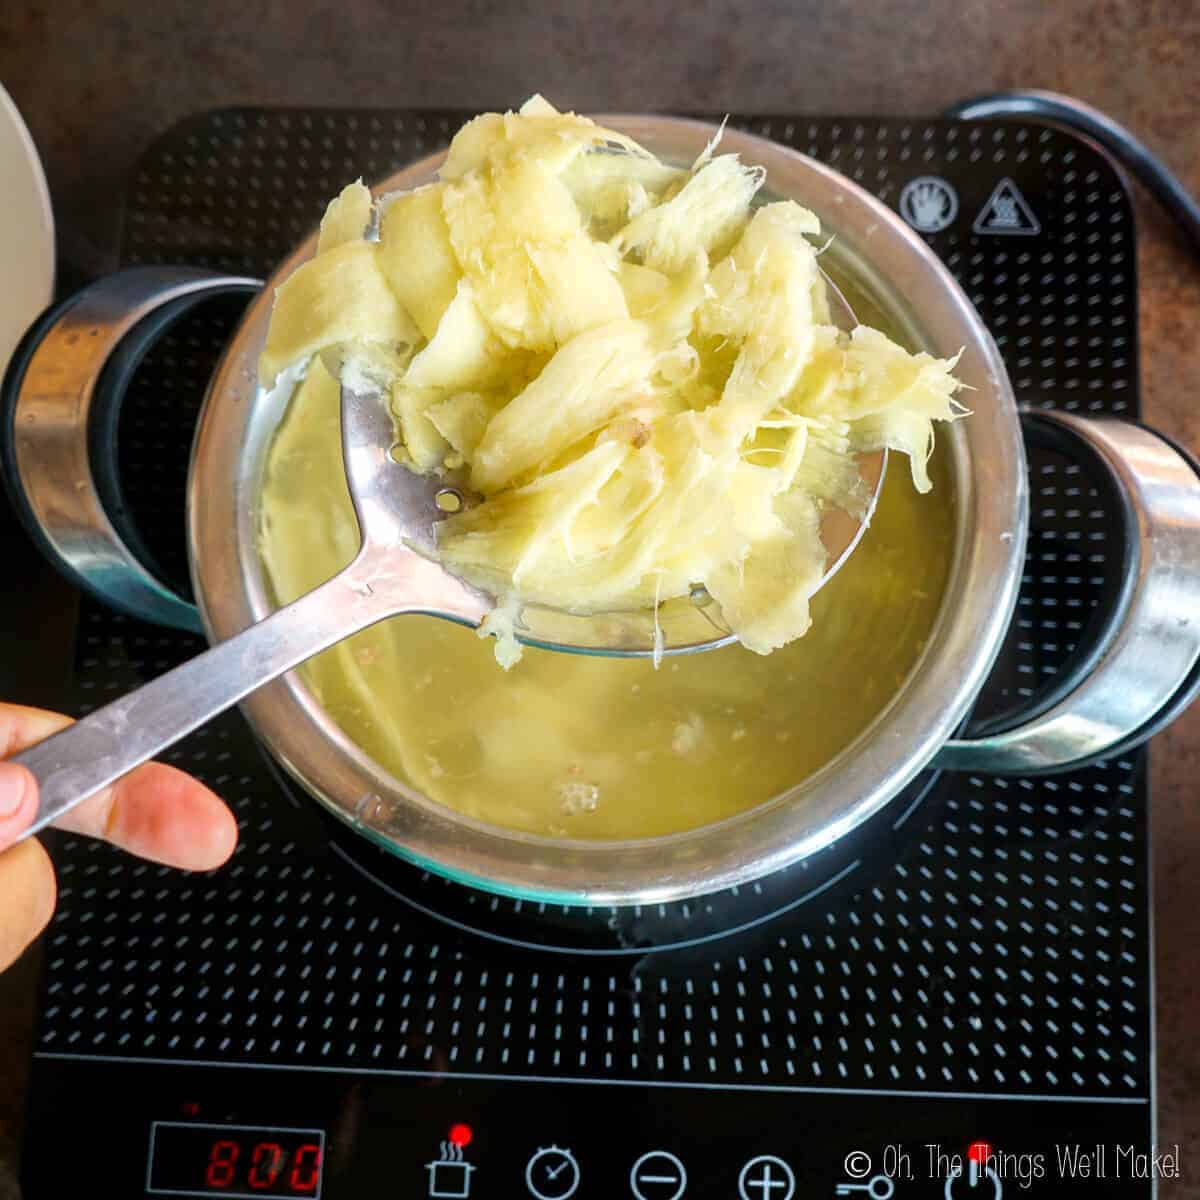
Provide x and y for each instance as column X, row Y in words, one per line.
column 59, row 404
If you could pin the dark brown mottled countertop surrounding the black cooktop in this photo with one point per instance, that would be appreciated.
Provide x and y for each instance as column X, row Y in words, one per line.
column 98, row 81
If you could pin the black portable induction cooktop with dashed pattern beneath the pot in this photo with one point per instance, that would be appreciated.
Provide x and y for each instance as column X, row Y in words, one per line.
column 321, row 1018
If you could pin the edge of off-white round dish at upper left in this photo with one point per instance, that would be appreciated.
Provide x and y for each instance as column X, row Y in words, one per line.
column 27, row 231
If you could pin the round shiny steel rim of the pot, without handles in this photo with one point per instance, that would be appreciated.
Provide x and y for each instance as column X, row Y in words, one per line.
column 988, row 459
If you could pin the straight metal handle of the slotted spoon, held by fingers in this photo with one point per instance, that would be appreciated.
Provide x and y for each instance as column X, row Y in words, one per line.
column 88, row 757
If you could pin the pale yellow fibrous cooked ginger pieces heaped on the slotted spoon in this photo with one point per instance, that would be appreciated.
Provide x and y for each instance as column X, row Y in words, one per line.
column 634, row 365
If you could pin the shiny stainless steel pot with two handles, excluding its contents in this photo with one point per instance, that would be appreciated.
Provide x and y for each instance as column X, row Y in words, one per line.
column 1143, row 670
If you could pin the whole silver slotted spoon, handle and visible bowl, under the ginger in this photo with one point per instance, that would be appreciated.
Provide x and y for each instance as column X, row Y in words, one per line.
column 398, row 514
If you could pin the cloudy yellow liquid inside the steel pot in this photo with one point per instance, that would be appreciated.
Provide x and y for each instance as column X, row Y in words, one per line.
column 603, row 748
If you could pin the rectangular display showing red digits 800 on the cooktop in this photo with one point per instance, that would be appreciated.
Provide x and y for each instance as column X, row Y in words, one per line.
column 203, row 1160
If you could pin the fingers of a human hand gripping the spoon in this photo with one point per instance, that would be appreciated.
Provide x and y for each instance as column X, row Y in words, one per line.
column 157, row 813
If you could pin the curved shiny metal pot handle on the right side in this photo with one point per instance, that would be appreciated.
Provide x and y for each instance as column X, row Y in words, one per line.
column 1145, row 668
